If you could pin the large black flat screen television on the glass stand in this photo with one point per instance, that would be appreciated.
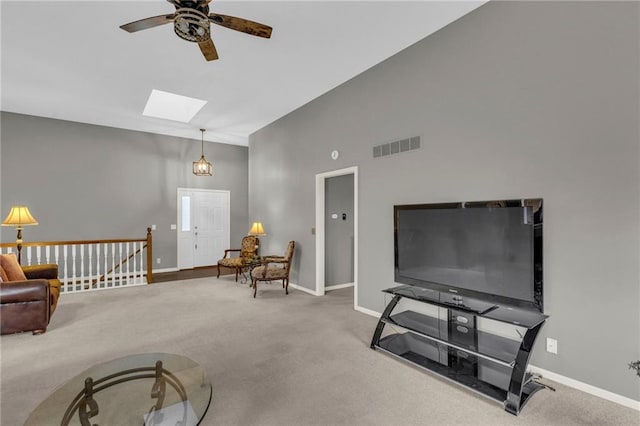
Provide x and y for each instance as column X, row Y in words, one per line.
column 488, row 251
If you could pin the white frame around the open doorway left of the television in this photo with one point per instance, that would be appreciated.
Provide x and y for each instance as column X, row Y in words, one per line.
column 320, row 229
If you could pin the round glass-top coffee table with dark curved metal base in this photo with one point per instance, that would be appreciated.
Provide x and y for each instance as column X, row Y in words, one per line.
column 144, row 389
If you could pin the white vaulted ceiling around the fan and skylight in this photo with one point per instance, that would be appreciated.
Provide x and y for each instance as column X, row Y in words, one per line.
column 69, row 60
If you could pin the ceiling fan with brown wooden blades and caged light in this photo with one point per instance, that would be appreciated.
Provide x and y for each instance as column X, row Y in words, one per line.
column 191, row 22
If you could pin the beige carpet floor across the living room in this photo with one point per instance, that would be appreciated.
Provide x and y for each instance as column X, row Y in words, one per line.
column 273, row 360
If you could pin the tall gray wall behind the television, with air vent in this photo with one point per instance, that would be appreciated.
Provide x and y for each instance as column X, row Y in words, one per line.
column 516, row 99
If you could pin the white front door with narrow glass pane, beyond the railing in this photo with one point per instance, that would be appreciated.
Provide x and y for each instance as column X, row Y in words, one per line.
column 203, row 226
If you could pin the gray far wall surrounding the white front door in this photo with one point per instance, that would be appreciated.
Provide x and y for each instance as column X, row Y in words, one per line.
column 82, row 181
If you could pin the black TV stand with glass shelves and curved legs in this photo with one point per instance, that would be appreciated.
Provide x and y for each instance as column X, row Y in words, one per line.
column 454, row 348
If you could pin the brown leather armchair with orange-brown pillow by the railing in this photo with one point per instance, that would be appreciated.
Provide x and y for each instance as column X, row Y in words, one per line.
column 28, row 305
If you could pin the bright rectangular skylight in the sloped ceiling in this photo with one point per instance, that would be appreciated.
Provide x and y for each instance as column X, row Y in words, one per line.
column 171, row 106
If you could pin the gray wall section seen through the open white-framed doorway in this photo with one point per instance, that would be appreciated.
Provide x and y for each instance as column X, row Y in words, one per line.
column 338, row 232
